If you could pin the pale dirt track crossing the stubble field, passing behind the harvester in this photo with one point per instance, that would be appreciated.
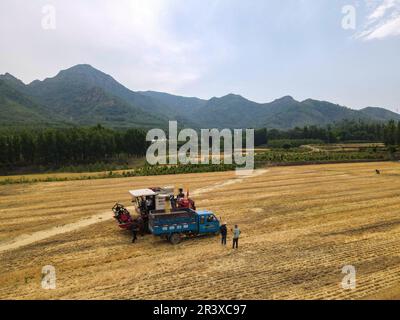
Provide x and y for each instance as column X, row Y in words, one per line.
column 27, row 239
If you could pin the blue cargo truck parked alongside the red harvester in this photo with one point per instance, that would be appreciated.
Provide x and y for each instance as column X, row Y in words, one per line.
column 186, row 222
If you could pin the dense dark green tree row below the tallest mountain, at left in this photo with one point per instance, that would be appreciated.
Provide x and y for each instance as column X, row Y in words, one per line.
column 69, row 146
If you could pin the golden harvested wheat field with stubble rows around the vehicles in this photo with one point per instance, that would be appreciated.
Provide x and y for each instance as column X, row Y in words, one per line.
column 300, row 226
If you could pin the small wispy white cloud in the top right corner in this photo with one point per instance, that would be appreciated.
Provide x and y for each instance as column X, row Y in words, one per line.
column 383, row 20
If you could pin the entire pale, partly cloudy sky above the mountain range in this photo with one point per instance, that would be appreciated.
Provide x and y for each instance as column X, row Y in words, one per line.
column 343, row 51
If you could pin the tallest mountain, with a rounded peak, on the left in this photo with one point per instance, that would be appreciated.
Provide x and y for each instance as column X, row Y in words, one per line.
column 85, row 96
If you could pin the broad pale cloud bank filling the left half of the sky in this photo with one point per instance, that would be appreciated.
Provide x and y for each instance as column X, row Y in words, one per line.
column 137, row 40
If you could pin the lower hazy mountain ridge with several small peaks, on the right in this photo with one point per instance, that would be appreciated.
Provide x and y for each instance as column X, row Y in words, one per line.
column 234, row 111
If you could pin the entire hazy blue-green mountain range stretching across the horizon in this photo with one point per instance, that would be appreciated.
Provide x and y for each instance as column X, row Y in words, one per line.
column 83, row 95
